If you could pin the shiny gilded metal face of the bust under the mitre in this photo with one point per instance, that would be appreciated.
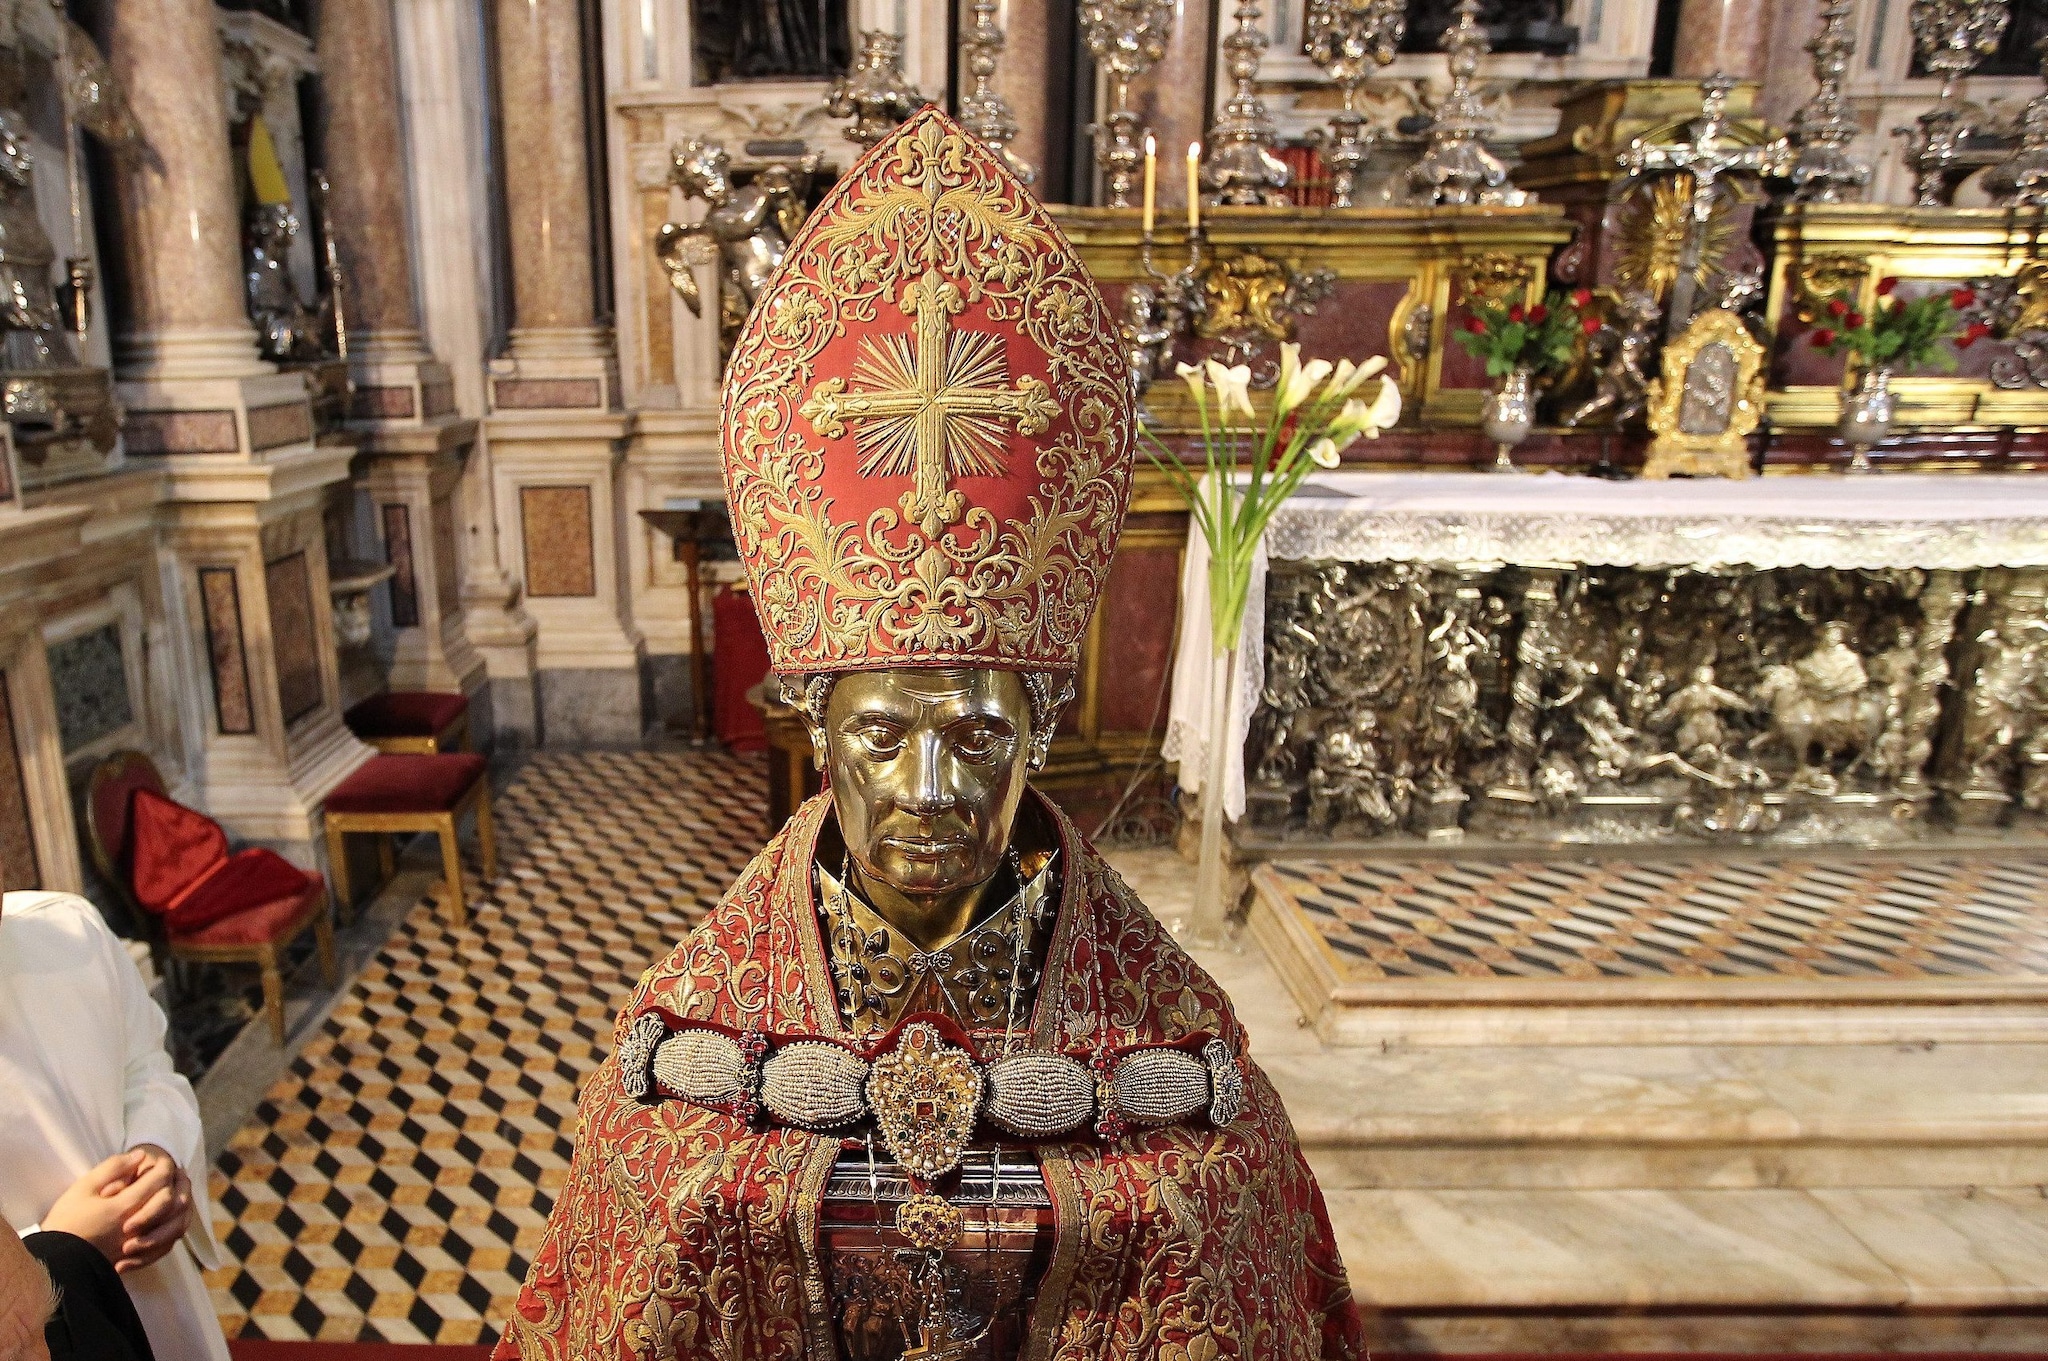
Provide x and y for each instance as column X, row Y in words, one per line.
column 927, row 773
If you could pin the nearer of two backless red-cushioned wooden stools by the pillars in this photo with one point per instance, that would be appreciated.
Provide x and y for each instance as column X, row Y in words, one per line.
column 415, row 793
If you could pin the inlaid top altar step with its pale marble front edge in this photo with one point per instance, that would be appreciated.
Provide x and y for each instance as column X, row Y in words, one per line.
column 1662, row 951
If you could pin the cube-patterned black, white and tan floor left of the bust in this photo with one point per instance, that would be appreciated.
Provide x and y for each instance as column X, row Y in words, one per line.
column 394, row 1182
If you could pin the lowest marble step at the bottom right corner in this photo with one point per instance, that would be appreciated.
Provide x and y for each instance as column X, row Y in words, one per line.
column 1723, row 1272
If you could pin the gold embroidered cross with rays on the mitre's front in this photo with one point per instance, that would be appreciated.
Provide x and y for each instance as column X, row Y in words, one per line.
column 931, row 406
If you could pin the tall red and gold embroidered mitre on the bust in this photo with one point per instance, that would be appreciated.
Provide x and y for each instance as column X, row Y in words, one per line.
column 927, row 423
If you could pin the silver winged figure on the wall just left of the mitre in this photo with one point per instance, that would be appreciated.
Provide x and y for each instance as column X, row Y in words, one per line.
column 746, row 230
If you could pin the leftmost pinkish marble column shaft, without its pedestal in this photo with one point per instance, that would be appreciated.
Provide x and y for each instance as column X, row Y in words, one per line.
column 177, row 200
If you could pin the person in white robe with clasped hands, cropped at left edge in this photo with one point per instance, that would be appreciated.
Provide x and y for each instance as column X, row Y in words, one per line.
column 89, row 1108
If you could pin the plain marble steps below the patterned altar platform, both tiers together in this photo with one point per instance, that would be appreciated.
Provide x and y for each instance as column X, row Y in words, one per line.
column 1666, row 1198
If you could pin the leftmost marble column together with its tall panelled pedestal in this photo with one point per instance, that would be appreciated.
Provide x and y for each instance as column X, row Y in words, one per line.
column 232, row 439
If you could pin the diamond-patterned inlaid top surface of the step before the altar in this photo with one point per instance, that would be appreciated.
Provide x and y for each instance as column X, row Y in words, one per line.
column 1836, row 918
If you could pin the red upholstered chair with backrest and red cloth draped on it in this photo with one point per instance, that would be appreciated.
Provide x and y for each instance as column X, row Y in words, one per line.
column 196, row 899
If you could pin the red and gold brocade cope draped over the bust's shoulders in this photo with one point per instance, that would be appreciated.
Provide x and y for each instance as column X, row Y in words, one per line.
column 683, row 1233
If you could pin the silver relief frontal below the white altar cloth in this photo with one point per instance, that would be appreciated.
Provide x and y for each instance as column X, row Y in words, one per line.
column 1629, row 705
